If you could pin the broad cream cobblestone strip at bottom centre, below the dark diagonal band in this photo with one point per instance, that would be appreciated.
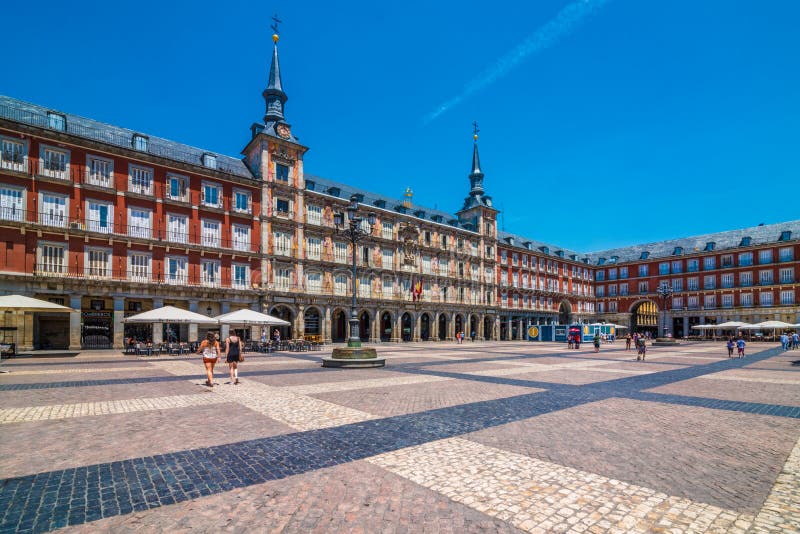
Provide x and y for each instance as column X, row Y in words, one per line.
column 539, row 496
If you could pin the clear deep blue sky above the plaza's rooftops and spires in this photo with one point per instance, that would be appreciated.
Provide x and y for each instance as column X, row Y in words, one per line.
column 639, row 122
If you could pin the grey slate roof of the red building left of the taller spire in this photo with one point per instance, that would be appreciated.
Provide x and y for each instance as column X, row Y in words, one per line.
column 36, row 115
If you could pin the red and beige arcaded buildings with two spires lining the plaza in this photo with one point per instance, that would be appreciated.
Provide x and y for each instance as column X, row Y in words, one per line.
column 112, row 222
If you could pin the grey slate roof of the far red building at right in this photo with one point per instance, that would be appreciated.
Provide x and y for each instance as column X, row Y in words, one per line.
column 759, row 235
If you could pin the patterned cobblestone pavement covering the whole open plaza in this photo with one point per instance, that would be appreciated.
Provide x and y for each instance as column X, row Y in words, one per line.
column 479, row 437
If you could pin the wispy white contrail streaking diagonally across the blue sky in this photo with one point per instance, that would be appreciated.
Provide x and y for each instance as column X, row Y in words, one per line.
column 565, row 21
